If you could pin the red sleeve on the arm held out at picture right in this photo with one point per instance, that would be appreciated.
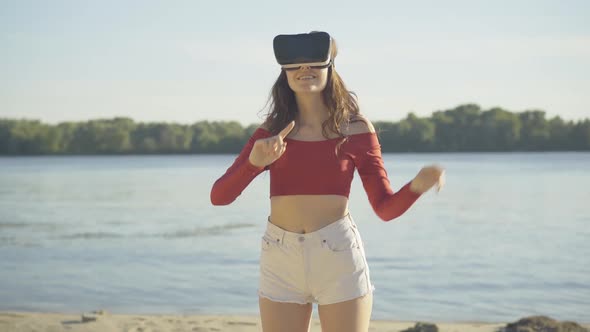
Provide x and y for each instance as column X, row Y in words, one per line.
column 369, row 162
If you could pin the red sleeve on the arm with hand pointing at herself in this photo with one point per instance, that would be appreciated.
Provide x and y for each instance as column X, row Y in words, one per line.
column 237, row 177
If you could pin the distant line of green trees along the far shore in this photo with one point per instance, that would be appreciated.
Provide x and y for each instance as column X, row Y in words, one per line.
column 465, row 128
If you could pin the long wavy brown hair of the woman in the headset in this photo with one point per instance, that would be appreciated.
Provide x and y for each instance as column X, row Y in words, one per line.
column 342, row 104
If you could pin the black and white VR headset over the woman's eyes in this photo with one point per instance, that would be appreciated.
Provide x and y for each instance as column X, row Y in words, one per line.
column 311, row 49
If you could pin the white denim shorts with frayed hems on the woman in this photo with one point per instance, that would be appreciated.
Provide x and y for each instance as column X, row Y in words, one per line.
column 326, row 266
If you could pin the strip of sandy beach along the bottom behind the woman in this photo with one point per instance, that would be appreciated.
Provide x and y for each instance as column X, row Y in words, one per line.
column 106, row 322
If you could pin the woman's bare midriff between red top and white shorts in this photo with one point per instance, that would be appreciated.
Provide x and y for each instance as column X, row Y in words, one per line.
column 306, row 213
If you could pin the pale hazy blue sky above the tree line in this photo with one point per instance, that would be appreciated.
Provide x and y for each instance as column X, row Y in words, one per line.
column 187, row 61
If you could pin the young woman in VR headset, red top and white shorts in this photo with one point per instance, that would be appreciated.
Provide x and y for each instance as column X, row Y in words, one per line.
column 312, row 140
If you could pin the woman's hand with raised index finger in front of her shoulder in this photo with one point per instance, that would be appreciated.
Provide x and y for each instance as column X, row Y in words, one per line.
column 266, row 150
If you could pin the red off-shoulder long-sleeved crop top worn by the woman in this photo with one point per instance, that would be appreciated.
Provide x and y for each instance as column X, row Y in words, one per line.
column 313, row 168
